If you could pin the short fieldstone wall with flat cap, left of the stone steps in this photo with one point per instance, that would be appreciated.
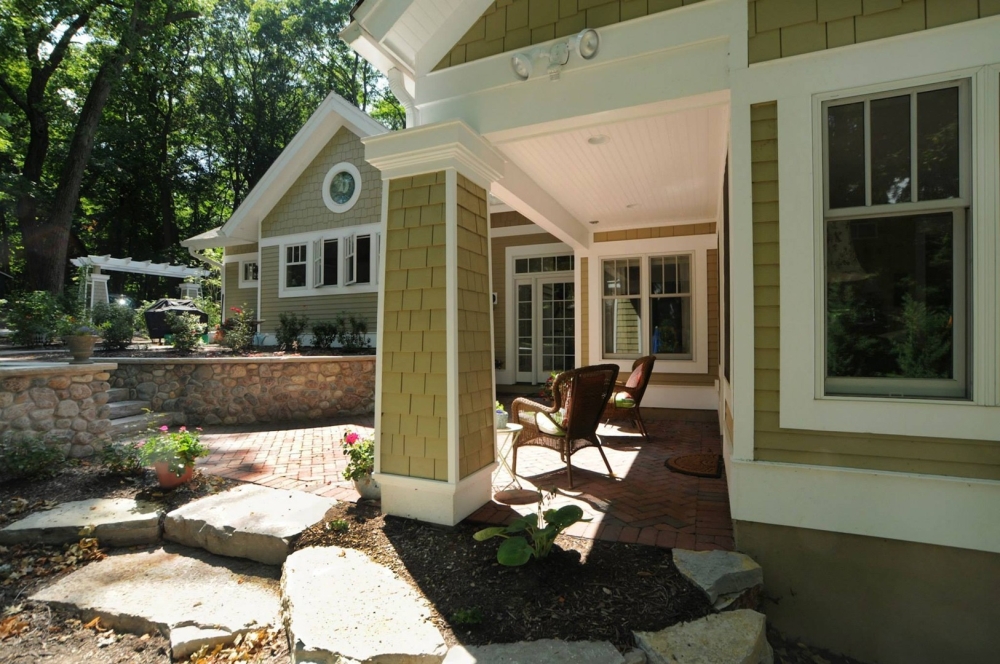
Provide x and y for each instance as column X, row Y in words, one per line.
column 63, row 404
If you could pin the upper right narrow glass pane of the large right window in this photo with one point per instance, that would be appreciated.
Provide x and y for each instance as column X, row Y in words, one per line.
column 937, row 145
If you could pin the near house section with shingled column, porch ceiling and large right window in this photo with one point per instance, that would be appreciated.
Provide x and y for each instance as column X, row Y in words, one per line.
column 827, row 169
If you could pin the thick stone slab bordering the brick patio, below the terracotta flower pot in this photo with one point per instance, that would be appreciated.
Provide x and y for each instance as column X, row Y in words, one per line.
column 250, row 521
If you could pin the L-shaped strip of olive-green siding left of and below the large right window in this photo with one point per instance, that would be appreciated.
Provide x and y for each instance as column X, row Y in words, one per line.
column 931, row 456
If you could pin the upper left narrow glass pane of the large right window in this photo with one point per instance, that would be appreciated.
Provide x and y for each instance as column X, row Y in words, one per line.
column 846, row 148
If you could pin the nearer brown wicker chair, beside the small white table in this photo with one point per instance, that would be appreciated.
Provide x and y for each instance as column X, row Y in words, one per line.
column 571, row 423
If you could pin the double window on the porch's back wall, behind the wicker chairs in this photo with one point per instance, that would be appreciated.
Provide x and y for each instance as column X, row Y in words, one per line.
column 659, row 285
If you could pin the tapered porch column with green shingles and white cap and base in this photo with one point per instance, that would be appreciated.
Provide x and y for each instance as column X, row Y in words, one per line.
column 435, row 387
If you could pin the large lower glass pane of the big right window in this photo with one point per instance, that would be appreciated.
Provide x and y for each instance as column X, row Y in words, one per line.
column 890, row 297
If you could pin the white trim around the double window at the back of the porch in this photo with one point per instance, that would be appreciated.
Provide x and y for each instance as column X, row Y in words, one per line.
column 695, row 245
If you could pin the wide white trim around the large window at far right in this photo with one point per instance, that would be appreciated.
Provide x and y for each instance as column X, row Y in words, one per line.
column 803, row 404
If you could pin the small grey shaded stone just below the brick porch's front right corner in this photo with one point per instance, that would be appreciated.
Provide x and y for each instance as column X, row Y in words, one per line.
column 722, row 575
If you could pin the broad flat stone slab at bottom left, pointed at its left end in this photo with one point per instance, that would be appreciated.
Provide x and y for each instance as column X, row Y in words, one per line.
column 191, row 597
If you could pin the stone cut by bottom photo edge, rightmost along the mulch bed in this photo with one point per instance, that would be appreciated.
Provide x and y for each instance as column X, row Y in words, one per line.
column 734, row 637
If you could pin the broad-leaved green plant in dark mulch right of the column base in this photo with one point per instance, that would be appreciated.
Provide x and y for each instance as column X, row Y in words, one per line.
column 531, row 536
